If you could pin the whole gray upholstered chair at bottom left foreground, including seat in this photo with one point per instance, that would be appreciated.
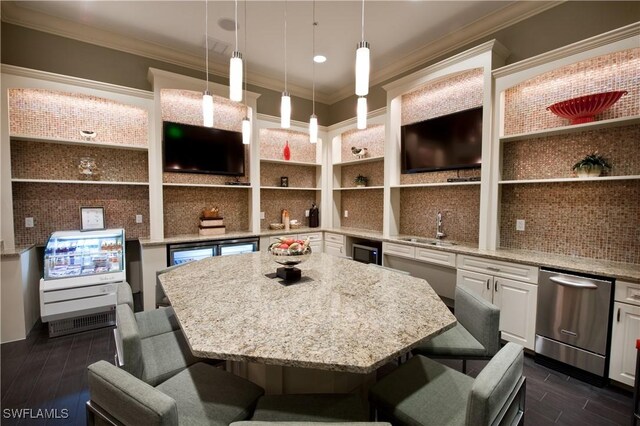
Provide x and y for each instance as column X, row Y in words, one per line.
column 199, row 395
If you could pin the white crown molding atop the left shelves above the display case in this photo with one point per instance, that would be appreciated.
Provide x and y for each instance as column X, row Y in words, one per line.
column 74, row 81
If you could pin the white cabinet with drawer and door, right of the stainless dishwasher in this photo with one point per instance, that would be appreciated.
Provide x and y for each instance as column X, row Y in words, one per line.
column 625, row 331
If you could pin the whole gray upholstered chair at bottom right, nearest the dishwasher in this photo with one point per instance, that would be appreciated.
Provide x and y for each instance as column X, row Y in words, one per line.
column 424, row 392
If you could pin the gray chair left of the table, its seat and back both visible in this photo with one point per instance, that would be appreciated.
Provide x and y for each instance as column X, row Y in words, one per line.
column 153, row 358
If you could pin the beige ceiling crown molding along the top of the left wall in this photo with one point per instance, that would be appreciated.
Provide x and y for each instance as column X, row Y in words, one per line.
column 14, row 14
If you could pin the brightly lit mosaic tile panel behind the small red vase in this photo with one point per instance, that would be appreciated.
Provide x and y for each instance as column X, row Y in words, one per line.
column 272, row 143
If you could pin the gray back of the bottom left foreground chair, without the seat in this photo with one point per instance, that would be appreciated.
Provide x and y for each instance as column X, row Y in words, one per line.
column 118, row 398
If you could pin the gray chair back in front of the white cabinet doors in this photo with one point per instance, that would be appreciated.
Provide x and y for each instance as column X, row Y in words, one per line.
column 480, row 318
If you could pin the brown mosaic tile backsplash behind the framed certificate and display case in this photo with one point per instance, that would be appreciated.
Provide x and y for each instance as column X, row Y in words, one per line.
column 56, row 207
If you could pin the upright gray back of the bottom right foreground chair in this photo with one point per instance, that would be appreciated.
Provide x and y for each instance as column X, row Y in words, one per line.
column 497, row 395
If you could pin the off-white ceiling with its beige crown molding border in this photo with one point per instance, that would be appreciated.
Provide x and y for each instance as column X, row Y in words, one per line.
column 402, row 34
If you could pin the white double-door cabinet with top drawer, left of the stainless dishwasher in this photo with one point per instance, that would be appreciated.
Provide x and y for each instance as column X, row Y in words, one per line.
column 517, row 299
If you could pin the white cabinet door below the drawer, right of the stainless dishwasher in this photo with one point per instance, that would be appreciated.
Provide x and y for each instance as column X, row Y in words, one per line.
column 626, row 329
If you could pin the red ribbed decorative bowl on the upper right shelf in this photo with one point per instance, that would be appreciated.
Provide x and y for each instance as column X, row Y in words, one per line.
column 584, row 108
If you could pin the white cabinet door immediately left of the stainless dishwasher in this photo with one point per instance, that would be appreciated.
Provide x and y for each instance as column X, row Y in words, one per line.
column 518, row 303
